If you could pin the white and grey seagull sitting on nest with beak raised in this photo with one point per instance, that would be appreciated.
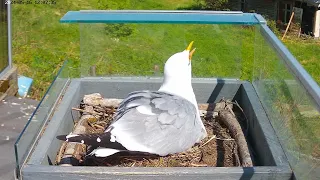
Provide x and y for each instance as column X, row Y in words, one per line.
column 160, row 122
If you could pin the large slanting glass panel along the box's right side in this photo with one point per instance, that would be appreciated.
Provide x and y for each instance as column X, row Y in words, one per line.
column 292, row 111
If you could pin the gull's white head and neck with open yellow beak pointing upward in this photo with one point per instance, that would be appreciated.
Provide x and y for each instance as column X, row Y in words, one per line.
column 177, row 75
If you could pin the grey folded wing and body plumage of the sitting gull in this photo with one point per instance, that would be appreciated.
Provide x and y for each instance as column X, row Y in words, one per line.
column 156, row 122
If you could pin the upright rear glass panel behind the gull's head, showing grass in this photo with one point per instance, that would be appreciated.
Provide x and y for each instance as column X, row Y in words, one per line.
column 142, row 49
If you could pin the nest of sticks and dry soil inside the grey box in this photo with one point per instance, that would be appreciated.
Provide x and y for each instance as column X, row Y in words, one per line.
column 225, row 145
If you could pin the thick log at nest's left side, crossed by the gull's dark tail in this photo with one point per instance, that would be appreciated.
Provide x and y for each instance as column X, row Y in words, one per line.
column 77, row 150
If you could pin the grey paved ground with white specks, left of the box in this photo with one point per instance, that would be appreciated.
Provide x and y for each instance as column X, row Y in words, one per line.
column 14, row 113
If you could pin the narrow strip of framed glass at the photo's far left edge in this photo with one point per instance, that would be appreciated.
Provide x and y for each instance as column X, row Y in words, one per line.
column 4, row 61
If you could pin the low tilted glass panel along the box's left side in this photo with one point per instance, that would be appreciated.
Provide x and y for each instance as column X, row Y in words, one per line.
column 26, row 139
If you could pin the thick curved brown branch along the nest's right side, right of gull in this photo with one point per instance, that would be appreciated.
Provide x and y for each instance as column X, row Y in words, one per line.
column 233, row 125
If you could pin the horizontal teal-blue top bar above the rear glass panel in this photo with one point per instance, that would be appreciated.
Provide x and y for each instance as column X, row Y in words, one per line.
column 152, row 16
